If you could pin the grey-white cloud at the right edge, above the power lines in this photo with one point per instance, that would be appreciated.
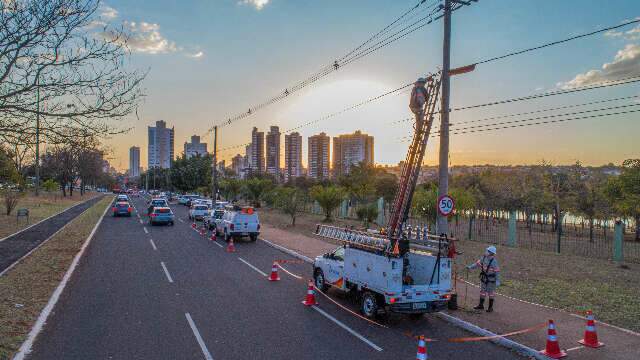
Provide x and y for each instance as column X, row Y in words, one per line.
column 625, row 64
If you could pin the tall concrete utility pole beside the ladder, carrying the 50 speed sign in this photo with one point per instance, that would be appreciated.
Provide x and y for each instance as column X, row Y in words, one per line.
column 442, row 226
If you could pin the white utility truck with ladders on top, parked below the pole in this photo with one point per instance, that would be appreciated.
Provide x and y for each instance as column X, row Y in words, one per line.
column 416, row 283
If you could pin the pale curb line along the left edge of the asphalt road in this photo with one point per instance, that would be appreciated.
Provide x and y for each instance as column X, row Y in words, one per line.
column 25, row 348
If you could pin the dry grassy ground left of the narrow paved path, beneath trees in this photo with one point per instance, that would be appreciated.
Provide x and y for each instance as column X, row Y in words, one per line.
column 40, row 207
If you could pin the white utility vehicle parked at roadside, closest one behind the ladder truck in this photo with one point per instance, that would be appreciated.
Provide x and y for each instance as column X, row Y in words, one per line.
column 239, row 222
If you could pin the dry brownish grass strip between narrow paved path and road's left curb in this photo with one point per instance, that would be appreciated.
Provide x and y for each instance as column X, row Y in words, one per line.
column 25, row 289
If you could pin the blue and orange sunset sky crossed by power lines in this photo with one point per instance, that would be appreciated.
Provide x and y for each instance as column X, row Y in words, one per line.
column 209, row 60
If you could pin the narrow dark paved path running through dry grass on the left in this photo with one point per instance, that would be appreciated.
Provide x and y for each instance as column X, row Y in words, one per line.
column 17, row 245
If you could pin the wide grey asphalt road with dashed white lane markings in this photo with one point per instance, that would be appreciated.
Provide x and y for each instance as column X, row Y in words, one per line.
column 143, row 292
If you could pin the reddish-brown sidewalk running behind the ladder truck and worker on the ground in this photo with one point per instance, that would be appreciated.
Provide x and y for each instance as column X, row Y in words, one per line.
column 509, row 315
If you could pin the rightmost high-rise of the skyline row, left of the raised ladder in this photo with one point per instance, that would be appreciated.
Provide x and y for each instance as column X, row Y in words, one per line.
column 351, row 149
